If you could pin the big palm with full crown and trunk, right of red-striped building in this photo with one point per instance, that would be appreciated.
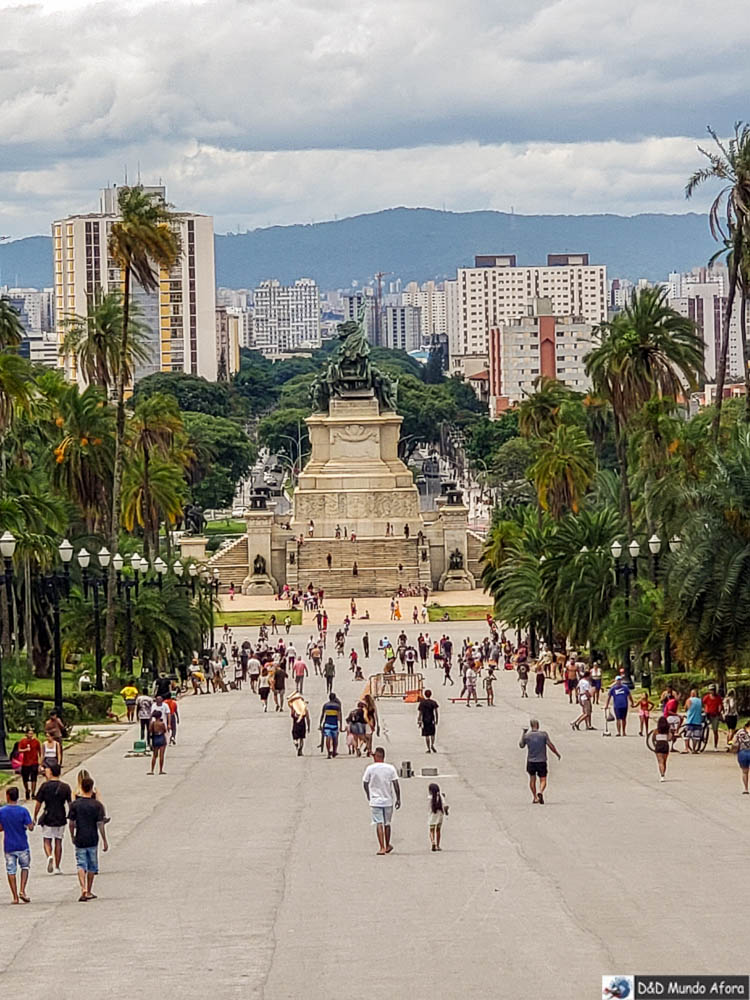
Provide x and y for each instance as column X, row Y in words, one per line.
column 647, row 350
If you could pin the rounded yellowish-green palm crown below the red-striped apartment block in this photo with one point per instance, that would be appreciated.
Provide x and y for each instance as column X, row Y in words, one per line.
column 563, row 470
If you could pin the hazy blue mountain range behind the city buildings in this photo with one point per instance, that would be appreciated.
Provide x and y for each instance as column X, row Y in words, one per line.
column 417, row 244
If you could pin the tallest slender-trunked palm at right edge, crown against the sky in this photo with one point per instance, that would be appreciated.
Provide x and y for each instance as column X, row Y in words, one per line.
column 729, row 219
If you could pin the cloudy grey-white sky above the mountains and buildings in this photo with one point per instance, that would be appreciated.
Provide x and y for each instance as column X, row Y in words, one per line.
column 265, row 112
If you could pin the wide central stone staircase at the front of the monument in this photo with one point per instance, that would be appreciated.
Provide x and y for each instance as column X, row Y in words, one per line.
column 377, row 558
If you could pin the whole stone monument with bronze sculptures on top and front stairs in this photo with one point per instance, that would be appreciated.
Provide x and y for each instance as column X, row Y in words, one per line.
column 356, row 526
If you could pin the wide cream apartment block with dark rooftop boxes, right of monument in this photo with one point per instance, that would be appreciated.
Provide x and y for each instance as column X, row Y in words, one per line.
column 497, row 290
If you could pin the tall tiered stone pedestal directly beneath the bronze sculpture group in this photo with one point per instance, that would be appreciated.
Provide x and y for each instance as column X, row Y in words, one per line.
column 354, row 477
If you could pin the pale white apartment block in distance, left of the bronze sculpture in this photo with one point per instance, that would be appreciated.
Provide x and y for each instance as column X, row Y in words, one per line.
column 286, row 317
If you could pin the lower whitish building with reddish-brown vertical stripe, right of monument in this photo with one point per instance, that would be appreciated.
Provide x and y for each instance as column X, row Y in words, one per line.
column 540, row 343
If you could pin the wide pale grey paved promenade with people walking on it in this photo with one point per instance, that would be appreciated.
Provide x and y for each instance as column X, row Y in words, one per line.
column 248, row 872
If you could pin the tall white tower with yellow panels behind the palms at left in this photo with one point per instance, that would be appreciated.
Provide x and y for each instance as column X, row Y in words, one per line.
column 179, row 318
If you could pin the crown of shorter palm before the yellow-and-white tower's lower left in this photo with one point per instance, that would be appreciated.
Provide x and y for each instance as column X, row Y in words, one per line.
column 96, row 340
